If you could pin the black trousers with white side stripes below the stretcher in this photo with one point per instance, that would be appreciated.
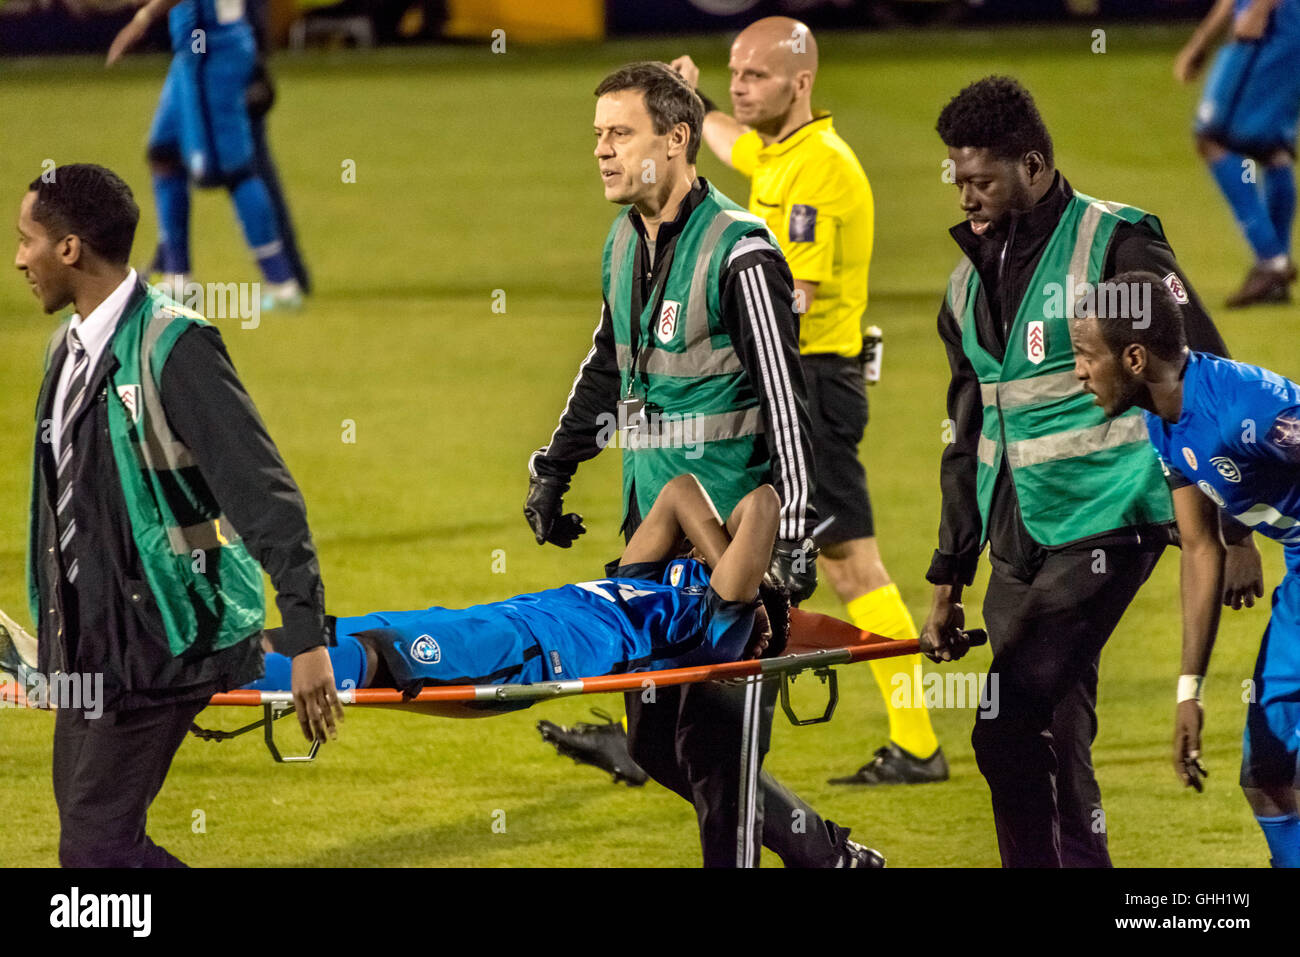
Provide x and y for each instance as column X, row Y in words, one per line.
column 690, row 739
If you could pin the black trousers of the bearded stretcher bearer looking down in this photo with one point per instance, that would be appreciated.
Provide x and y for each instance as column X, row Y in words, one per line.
column 1034, row 744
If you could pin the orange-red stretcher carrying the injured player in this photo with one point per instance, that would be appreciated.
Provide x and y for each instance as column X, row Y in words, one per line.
column 818, row 643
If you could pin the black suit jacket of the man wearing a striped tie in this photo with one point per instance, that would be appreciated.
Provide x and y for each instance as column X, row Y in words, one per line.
column 110, row 622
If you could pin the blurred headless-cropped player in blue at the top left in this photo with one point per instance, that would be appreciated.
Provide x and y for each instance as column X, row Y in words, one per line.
column 203, row 131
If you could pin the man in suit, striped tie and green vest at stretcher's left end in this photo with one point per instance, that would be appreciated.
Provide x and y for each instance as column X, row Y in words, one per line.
column 149, row 457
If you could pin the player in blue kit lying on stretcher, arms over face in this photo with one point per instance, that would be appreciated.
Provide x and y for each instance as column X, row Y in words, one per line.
column 656, row 612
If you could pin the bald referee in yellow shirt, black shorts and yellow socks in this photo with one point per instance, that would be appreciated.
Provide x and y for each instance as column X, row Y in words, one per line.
column 809, row 188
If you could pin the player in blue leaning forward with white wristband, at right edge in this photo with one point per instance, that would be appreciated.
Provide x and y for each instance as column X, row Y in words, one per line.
column 1229, row 439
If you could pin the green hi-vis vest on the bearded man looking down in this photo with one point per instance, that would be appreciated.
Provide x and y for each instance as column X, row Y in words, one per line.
column 1077, row 474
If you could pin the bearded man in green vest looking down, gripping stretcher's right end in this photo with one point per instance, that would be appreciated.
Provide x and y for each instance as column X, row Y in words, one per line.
column 1076, row 513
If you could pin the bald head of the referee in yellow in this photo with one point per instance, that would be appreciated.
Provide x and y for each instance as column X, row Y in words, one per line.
column 773, row 68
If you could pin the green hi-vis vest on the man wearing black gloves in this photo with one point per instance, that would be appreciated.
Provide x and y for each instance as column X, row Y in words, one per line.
column 686, row 366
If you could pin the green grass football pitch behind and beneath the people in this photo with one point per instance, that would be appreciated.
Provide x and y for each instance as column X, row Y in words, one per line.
column 475, row 174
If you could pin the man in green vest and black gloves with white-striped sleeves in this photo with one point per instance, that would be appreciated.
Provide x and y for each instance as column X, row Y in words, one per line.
column 697, row 324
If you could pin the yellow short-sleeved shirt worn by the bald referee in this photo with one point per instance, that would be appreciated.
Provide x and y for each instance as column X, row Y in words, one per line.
column 813, row 194
